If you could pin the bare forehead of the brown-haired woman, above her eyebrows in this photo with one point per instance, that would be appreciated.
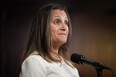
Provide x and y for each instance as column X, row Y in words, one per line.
column 58, row 12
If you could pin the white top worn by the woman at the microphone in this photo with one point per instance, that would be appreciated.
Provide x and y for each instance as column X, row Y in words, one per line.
column 36, row 66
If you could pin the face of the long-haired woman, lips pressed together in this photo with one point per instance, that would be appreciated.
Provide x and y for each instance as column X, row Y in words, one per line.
column 59, row 27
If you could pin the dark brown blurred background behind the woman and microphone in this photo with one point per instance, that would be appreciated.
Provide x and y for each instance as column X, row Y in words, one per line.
column 94, row 34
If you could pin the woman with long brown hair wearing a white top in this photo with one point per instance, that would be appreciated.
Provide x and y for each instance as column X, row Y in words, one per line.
column 46, row 52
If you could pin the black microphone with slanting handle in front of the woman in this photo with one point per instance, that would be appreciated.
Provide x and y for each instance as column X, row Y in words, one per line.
column 80, row 59
